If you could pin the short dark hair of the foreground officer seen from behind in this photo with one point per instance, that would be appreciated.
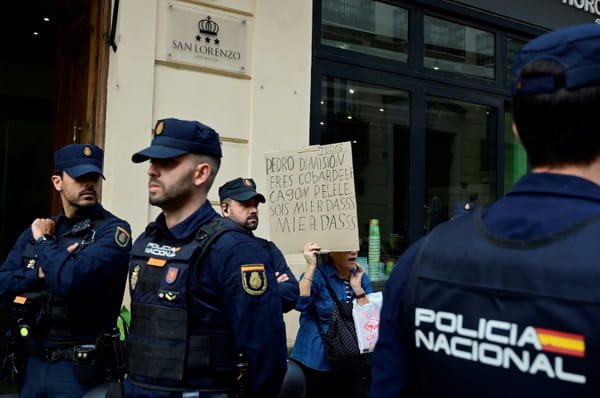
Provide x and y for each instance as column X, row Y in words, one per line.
column 559, row 128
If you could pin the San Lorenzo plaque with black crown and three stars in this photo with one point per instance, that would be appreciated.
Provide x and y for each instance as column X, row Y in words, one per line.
column 205, row 37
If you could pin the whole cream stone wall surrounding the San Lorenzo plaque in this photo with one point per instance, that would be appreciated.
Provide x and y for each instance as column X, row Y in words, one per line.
column 269, row 111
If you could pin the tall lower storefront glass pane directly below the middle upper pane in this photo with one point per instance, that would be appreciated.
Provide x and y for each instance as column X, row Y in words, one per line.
column 459, row 161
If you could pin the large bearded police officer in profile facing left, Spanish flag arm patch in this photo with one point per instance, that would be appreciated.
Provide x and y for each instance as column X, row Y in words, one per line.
column 202, row 316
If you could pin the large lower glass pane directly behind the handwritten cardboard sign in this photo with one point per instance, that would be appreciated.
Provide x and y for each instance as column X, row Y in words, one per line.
column 376, row 120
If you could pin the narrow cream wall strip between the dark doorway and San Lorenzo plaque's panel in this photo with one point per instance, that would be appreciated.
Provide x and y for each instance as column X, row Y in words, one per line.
column 129, row 117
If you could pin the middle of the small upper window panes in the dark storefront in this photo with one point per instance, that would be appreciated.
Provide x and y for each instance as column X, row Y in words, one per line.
column 458, row 48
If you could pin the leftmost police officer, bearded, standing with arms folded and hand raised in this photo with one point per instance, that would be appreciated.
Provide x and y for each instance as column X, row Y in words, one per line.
column 64, row 279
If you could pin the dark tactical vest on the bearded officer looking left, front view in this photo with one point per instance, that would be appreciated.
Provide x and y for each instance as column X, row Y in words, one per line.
column 171, row 340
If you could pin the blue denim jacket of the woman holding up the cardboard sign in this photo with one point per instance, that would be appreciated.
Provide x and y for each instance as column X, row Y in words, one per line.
column 309, row 348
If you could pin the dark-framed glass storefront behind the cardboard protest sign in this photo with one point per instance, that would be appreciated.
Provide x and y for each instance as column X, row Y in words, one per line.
column 424, row 95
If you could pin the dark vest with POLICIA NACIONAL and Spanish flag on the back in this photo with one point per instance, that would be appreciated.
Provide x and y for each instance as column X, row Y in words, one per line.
column 492, row 317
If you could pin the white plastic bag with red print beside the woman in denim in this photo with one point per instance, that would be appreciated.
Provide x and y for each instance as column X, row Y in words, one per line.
column 366, row 321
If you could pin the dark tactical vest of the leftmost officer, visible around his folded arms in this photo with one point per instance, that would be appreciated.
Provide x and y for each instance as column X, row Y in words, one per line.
column 55, row 318
